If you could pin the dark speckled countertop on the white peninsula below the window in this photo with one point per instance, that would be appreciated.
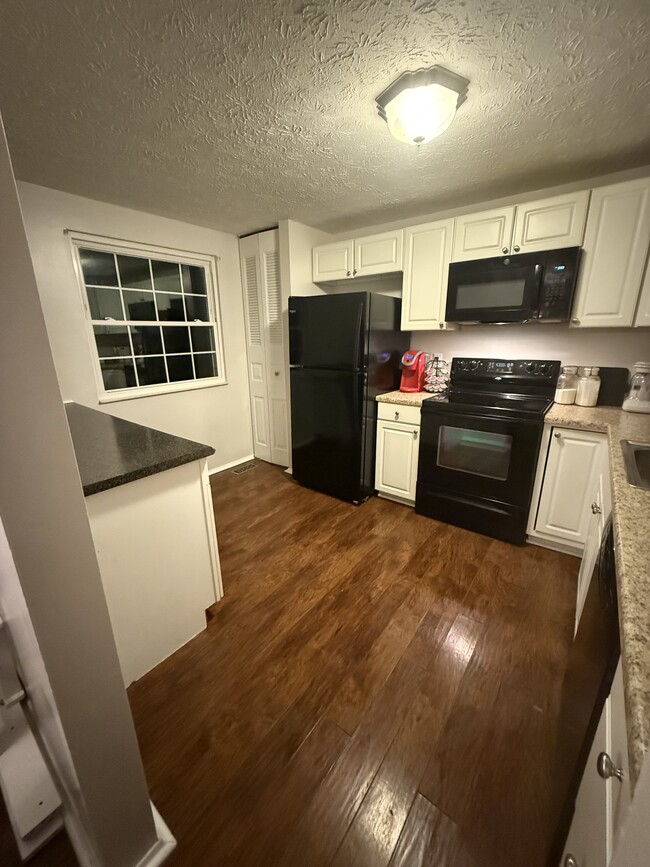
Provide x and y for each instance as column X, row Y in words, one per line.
column 111, row 452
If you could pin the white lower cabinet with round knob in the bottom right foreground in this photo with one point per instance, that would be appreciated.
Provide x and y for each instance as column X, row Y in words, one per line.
column 602, row 804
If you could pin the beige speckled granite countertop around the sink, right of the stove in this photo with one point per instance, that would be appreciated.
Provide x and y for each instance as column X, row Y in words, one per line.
column 631, row 518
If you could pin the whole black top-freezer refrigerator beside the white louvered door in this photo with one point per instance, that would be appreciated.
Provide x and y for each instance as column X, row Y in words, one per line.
column 345, row 349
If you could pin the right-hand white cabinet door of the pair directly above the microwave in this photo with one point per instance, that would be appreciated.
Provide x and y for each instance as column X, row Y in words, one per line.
column 550, row 224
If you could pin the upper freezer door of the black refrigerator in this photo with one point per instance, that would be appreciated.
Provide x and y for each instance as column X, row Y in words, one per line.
column 328, row 332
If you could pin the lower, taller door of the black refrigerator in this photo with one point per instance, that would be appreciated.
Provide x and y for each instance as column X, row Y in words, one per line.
column 328, row 431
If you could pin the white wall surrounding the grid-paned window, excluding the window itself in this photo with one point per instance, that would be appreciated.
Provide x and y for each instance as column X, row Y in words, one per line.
column 218, row 416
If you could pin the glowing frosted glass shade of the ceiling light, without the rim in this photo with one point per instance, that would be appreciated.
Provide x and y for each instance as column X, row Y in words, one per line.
column 419, row 114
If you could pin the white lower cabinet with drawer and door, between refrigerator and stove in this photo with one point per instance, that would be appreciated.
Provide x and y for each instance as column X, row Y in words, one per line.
column 398, row 442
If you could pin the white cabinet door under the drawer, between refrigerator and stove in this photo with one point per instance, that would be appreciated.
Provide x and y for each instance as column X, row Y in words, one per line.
column 397, row 459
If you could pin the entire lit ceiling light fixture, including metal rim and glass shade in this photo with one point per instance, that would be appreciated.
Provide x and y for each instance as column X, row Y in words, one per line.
column 420, row 105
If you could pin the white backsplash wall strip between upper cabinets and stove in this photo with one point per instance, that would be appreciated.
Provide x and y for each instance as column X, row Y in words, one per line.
column 604, row 347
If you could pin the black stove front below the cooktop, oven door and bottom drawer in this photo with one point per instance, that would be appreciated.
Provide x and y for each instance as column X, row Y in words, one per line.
column 477, row 471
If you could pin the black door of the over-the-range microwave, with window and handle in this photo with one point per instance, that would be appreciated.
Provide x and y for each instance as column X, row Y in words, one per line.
column 494, row 290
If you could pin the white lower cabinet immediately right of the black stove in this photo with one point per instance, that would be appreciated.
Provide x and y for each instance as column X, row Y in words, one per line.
column 570, row 465
